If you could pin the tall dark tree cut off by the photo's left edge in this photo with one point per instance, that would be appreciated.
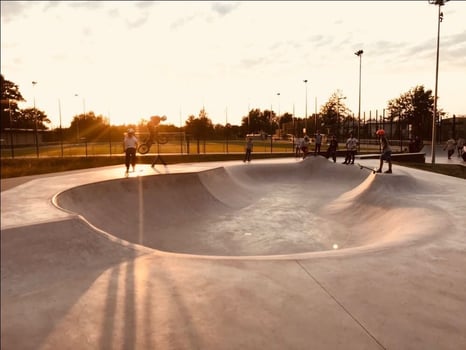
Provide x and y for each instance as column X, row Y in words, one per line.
column 10, row 96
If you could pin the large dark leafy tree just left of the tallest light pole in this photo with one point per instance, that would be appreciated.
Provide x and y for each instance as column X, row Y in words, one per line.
column 414, row 107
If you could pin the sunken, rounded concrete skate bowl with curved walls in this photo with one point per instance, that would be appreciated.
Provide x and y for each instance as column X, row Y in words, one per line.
column 260, row 209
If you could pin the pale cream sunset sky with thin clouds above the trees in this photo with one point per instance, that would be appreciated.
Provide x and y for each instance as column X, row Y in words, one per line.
column 129, row 60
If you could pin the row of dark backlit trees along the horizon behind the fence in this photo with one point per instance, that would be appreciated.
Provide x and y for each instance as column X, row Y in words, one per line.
column 413, row 108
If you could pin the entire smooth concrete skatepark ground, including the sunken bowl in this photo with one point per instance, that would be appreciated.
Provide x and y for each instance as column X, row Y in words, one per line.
column 275, row 254
